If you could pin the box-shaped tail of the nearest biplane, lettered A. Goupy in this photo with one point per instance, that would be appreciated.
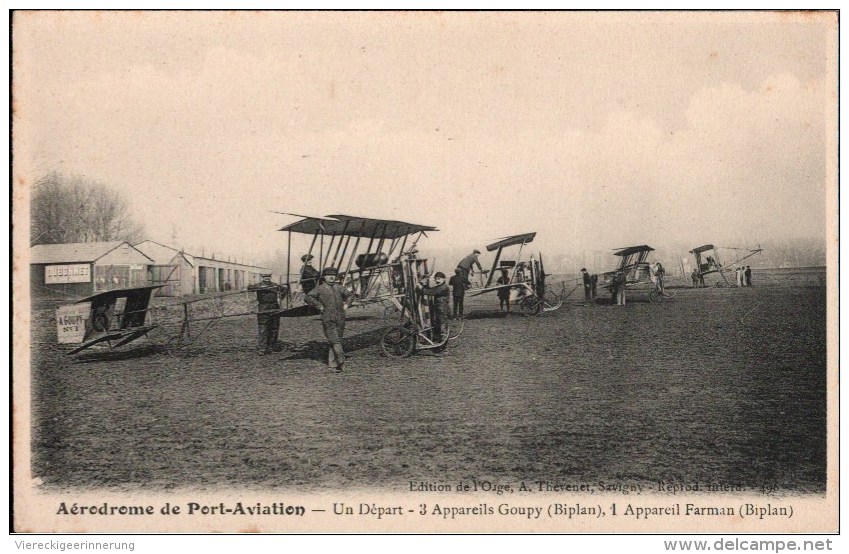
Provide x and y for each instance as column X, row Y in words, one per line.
column 112, row 318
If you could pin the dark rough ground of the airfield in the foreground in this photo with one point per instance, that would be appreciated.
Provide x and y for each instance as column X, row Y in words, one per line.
column 719, row 385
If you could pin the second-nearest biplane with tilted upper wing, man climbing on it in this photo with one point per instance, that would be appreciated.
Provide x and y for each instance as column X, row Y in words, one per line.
column 525, row 279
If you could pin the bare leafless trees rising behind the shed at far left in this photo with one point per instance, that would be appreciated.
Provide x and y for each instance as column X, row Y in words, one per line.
column 74, row 209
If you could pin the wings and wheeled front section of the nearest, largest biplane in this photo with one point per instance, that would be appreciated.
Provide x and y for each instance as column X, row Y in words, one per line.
column 378, row 261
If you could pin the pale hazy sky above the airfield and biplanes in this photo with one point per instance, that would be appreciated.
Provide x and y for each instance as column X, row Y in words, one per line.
column 597, row 130
